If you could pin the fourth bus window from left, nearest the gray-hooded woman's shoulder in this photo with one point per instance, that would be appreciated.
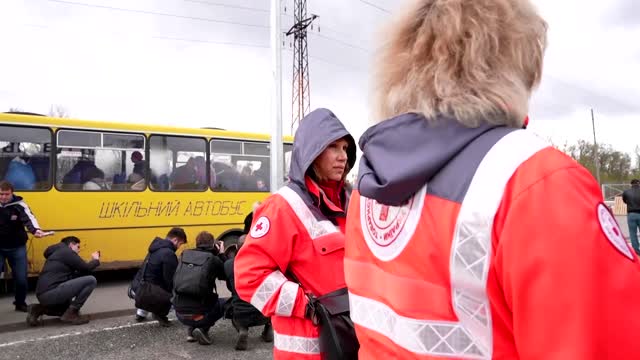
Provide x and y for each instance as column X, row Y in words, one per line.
column 239, row 165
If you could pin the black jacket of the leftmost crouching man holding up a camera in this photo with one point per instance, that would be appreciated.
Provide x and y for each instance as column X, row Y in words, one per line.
column 62, row 264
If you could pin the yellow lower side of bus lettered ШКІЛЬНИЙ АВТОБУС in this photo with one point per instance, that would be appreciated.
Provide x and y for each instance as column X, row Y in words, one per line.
column 122, row 224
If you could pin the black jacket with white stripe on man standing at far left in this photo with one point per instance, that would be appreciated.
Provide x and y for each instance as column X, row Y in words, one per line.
column 14, row 216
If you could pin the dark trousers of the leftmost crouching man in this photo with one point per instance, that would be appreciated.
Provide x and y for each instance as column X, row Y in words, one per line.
column 76, row 291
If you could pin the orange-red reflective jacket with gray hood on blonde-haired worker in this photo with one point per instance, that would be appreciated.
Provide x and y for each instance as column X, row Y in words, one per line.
column 484, row 244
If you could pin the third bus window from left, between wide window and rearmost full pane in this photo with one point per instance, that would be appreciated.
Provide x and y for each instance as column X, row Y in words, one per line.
column 178, row 163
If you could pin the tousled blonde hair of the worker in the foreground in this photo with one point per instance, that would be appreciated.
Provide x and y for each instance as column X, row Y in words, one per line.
column 473, row 60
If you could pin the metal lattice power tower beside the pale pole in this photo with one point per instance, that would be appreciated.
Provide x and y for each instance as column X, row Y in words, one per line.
column 301, row 97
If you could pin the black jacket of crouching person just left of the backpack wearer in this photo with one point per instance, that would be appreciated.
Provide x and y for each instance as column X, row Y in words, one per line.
column 161, row 265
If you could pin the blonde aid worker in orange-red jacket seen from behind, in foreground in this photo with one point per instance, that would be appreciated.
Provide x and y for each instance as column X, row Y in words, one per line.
column 468, row 236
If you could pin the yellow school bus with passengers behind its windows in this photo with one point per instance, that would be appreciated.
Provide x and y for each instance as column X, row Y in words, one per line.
column 118, row 185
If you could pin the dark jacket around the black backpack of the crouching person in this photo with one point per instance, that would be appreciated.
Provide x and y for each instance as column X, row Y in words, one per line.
column 192, row 305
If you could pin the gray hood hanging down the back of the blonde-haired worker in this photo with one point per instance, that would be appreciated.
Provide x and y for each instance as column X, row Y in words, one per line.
column 402, row 154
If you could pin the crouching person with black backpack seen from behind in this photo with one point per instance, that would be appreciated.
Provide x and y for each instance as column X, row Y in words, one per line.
column 196, row 300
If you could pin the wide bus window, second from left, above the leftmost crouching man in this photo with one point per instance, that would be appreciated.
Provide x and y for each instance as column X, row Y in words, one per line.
column 96, row 161
